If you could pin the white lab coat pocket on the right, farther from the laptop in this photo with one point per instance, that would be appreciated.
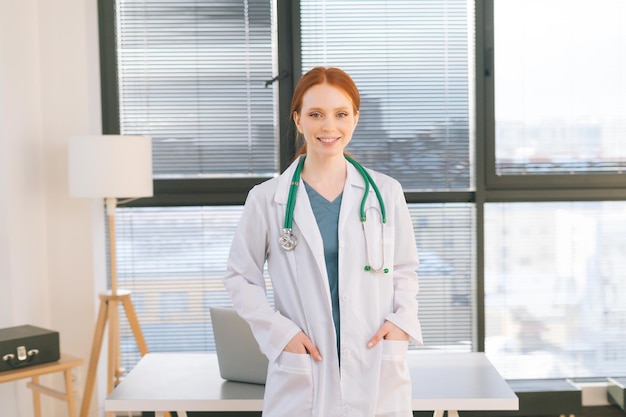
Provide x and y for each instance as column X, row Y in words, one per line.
column 394, row 397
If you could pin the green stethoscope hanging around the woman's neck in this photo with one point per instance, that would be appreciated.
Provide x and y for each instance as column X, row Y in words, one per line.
column 287, row 239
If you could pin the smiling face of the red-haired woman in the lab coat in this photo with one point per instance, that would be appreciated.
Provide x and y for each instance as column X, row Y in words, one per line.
column 326, row 119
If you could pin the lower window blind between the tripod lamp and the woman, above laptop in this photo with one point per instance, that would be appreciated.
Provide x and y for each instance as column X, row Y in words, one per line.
column 173, row 260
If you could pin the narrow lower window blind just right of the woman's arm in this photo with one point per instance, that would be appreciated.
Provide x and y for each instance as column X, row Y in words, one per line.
column 444, row 235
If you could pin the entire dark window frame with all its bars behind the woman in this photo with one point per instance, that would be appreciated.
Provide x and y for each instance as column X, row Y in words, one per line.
column 488, row 187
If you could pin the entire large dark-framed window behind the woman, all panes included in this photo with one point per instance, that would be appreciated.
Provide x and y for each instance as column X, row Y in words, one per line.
column 508, row 144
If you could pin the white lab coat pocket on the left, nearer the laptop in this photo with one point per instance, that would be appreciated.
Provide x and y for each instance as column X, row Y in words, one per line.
column 289, row 386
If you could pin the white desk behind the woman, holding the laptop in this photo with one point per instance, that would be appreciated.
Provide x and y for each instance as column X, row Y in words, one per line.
column 191, row 382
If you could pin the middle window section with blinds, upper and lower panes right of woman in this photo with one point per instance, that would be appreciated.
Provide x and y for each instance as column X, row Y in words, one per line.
column 410, row 60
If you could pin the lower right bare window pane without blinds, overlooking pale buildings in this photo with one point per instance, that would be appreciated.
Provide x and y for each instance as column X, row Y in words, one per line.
column 555, row 288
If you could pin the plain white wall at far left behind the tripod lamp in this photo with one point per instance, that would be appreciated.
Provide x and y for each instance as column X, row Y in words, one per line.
column 51, row 246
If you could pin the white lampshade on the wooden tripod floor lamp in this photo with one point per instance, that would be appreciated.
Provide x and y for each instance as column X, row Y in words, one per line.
column 110, row 166
